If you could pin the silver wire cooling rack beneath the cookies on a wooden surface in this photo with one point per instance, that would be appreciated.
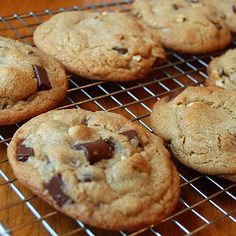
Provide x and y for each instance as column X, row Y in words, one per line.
column 207, row 204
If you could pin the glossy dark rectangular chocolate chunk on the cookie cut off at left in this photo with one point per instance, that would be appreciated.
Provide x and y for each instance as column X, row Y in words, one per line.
column 41, row 76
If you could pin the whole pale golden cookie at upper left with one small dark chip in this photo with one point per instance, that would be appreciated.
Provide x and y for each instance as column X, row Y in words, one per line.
column 101, row 46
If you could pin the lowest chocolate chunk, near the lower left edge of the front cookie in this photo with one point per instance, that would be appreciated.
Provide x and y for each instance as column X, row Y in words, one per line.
column 54, row 187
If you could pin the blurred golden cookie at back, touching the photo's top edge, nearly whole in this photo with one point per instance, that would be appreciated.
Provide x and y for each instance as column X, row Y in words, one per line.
column 183, row 25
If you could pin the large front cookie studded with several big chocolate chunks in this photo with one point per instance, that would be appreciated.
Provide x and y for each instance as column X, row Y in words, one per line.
column 97, row 167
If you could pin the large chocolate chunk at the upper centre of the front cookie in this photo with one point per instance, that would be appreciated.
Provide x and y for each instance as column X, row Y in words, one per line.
column 96, row 151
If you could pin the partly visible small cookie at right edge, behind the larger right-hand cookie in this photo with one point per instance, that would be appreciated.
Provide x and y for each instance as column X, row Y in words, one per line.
column 222, row 71
